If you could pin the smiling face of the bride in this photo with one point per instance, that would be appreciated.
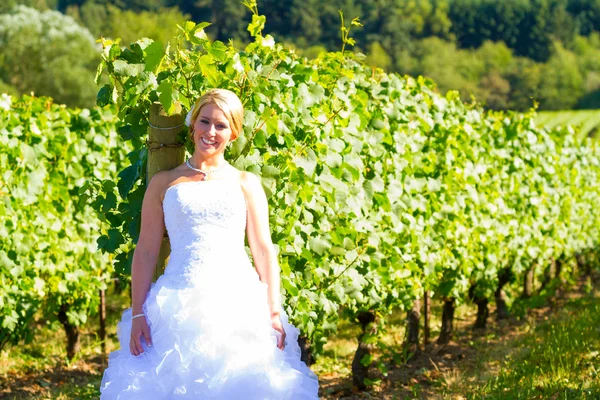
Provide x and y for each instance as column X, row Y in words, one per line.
column 211, row 130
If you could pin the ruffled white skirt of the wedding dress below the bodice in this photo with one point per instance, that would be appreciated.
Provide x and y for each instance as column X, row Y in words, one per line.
column 210, row 341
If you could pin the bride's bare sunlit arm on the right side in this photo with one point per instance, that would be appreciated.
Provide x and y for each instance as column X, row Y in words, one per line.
column 261, row 246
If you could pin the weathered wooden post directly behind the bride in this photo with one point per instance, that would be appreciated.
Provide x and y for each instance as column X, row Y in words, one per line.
column 166, row 139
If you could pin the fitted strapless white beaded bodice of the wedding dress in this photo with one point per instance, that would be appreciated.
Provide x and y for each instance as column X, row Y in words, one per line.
column 206, row 223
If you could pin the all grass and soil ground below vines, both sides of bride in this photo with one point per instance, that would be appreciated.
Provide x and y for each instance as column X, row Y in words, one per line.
column 551, row 353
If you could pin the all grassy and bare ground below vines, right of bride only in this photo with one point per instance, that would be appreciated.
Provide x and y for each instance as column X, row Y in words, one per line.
column 553, row 352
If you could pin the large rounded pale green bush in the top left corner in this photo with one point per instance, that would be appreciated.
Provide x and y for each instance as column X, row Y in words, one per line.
column 49, row 54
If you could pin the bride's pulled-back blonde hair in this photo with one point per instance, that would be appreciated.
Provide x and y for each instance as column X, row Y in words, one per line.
column 228, row 102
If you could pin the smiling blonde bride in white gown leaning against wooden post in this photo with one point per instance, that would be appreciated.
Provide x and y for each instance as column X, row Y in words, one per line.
column 212, row 326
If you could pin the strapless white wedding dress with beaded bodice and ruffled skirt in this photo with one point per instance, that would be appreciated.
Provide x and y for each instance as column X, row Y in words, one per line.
column 208, row 314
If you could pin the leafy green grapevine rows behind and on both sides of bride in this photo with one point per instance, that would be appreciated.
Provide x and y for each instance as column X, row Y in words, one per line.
column 384, row 194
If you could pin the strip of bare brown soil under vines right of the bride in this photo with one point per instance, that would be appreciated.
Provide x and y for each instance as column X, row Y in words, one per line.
column 423, row 376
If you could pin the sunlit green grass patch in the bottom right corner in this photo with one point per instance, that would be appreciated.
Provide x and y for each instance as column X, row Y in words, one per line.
column 558, row 358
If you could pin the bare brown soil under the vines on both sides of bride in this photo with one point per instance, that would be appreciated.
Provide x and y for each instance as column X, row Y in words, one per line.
column 423, row 376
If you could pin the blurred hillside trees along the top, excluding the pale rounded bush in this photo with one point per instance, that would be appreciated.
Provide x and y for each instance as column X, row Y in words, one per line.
column 542, row 36
